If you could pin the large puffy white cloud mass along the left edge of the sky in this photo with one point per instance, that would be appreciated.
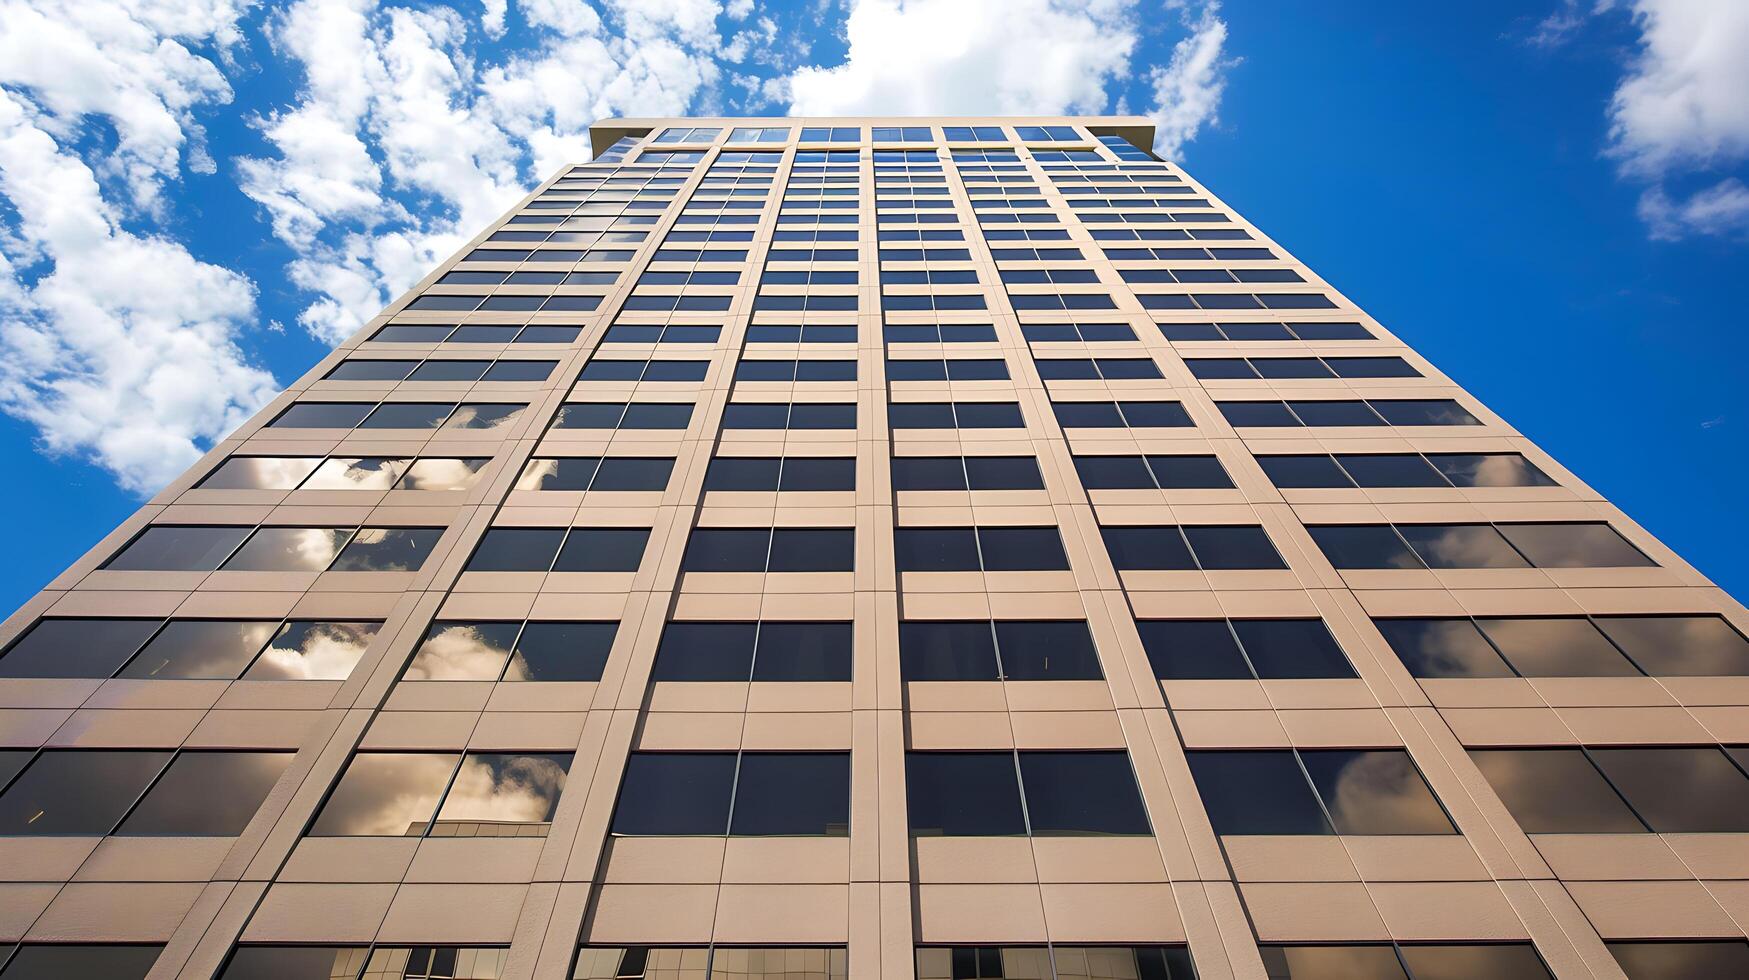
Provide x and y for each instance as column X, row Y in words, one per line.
column 118, row 346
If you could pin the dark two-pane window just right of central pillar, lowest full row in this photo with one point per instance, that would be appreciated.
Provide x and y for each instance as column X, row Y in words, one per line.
column 980, row 795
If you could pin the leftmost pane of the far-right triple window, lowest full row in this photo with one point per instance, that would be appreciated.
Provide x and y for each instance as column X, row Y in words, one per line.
column 1556, row 792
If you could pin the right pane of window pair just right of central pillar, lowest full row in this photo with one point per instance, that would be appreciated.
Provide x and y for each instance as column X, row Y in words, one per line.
column 1082, row 795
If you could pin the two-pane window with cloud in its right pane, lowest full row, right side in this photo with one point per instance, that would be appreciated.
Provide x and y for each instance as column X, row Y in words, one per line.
column 1286, row 792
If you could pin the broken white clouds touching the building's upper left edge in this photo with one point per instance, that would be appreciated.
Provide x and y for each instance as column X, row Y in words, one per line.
column 405, row 143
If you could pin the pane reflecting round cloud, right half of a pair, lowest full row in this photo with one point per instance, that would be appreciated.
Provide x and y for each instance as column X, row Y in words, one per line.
column 1376, row 792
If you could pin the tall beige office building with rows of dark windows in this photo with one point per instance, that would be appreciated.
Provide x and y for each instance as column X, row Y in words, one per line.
column 877, row 549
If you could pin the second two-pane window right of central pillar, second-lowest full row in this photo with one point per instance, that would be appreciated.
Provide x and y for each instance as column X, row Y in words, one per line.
column 1271, row 650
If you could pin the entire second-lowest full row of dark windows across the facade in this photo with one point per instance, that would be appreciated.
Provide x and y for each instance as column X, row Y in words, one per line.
column 1026, row 650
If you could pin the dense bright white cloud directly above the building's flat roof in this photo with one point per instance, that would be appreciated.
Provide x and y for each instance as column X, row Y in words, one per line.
column 972, row 57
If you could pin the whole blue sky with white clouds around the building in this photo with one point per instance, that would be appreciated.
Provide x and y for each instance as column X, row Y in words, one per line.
column 1547, row 197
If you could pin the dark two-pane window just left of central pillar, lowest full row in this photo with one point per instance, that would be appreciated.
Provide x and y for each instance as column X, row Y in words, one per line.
column 774, row 795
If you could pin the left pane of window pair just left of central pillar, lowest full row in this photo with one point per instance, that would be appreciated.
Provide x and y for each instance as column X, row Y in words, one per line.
column 676, row 794
